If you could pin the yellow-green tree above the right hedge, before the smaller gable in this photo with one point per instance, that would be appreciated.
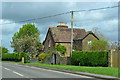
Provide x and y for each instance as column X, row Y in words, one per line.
column 99, row 45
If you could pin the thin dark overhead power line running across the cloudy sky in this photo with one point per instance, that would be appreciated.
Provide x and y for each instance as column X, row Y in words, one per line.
column 61, row 14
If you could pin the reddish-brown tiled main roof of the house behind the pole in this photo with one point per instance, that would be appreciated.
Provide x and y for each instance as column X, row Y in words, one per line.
column 64, row 34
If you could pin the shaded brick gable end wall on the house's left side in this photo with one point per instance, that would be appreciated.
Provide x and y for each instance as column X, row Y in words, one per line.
column 46, row 44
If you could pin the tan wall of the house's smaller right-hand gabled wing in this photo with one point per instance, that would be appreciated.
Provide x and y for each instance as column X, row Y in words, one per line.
column 85, row 42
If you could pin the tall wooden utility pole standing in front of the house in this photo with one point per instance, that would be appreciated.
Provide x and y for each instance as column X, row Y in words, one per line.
column 72, row 24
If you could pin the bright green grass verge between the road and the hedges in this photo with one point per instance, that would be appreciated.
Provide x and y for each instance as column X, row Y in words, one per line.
column 110, row 71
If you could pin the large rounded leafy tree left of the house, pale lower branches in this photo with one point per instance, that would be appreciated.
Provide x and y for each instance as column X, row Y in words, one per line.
column 27, row 40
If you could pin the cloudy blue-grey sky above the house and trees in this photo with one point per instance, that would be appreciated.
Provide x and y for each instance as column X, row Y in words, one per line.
column 12, row 12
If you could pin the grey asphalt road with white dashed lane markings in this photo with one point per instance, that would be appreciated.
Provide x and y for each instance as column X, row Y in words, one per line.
column 11, row 70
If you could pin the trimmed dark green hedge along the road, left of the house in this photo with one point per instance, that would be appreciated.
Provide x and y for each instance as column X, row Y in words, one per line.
column 15, row 57
